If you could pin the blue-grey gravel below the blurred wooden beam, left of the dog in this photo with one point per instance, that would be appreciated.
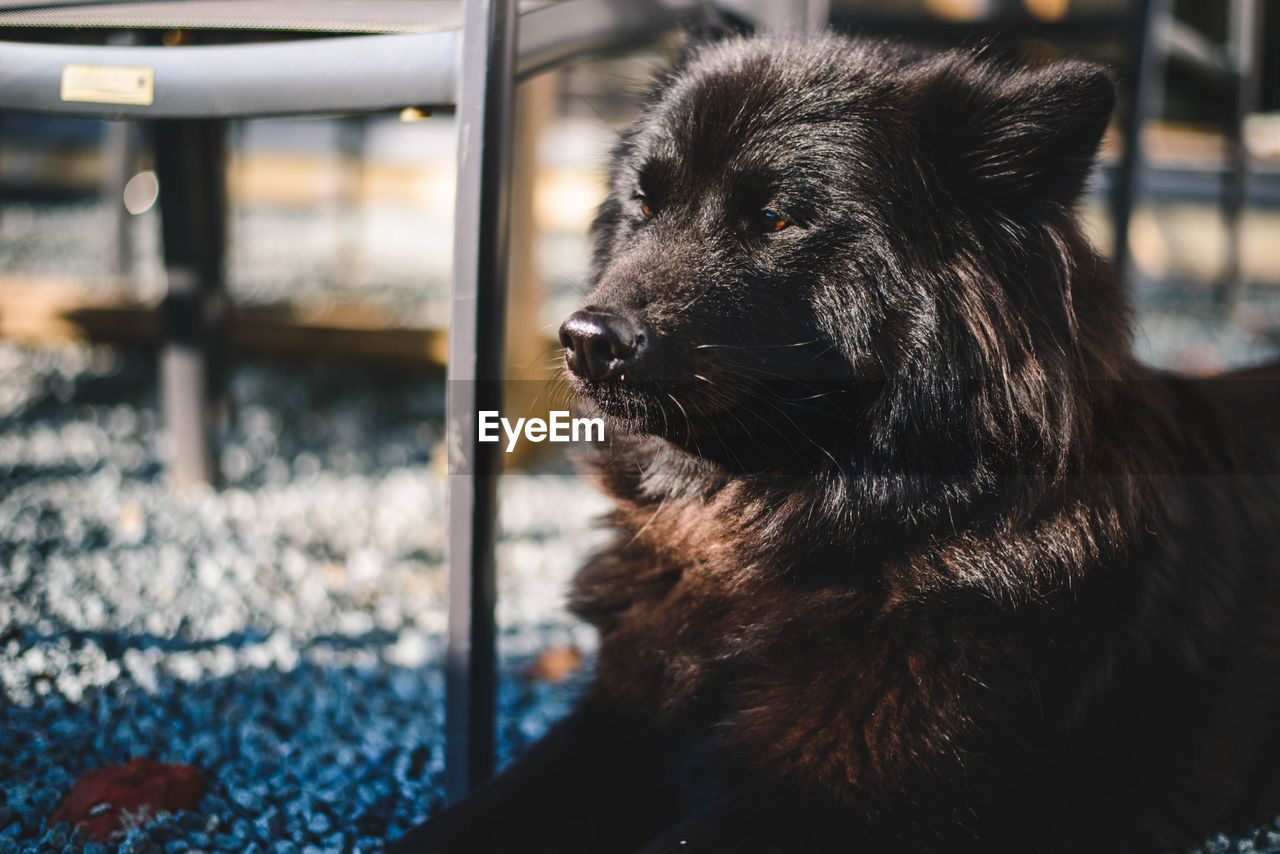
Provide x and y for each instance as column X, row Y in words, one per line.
column 282, row 634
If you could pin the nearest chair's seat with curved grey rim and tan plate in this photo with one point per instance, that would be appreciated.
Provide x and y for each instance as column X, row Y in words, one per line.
column 380, row 56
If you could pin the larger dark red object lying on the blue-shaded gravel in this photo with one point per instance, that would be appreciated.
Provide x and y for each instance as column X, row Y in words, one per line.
column 100, row 798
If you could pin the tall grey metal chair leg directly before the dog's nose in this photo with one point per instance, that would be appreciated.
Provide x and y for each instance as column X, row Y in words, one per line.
column 481, row 246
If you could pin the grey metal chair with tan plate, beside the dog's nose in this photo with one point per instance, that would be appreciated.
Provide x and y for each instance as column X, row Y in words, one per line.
column 328, row 57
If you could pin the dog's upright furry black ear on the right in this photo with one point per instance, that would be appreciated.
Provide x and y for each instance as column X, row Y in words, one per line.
column 1018, row 141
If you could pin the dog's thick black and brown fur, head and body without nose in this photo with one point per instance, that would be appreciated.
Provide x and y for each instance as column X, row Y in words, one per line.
column 911, row 552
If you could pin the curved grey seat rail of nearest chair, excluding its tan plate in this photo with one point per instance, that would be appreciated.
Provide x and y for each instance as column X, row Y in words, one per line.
column 318, row 76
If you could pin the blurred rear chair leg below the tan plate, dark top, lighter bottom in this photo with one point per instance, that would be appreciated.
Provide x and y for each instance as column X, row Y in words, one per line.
column 191, row 166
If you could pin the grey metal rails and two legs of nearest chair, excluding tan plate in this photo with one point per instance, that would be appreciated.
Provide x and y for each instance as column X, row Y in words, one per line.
column 199, row 88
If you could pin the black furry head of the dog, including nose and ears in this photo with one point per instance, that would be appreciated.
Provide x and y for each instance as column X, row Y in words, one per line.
column 844, row 252
